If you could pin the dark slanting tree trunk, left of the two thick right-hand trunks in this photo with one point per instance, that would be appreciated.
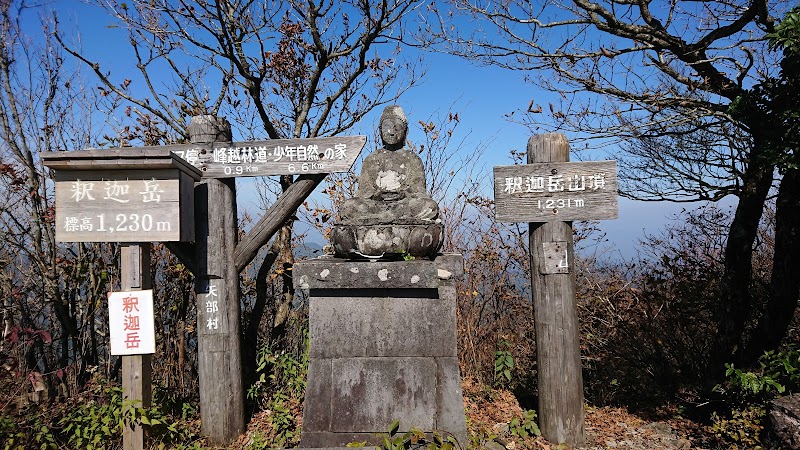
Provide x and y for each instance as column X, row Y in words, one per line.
column 736, row 306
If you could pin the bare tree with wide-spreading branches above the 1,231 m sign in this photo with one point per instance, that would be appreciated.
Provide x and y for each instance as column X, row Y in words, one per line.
column 660, row 79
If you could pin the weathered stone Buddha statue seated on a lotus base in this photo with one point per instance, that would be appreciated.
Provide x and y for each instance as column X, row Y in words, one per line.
column 392, row 212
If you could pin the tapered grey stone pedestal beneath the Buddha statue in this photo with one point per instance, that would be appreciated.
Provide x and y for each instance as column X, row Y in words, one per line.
column 382, row 348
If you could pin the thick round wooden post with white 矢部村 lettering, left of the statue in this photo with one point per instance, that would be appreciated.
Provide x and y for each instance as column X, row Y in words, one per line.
column 217, row 287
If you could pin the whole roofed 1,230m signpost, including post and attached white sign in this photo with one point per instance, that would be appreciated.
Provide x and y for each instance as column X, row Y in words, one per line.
column 126, row 196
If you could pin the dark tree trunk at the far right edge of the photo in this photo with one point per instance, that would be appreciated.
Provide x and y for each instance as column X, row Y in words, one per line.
column 785, row 282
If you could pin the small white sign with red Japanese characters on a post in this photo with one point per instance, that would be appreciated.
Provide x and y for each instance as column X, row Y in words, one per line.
column 131, row 322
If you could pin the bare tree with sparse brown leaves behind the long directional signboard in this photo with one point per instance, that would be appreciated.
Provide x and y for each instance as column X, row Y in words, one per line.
column 299, row 68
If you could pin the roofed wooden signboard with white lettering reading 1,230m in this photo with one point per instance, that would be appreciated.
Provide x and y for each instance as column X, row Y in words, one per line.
column 123, row 195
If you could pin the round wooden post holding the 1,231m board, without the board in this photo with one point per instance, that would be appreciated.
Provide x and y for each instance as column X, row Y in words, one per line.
column 558, row 357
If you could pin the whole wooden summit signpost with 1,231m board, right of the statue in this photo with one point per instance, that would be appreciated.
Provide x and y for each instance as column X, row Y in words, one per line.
column 550, row 192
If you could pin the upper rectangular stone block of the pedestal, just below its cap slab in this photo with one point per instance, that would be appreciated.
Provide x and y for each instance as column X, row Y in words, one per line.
column 381, row 326
